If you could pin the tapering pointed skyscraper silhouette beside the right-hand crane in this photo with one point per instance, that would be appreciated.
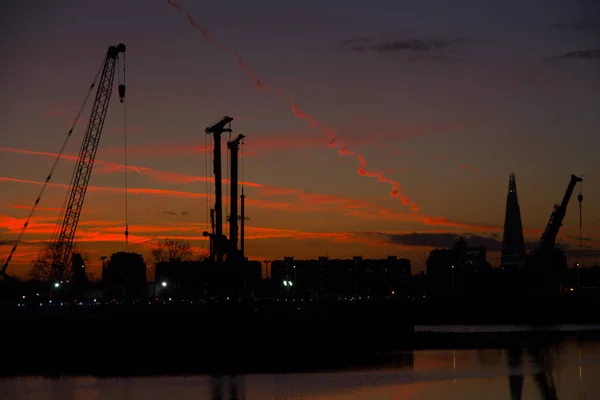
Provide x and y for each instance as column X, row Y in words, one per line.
column 513, row 242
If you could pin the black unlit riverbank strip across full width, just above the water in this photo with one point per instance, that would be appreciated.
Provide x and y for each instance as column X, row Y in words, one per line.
column 243, row 338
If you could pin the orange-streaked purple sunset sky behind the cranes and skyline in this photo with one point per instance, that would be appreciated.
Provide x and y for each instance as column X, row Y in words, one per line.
column 373, row 127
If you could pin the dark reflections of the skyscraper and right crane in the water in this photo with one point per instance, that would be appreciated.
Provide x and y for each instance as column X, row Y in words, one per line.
column 542, row 360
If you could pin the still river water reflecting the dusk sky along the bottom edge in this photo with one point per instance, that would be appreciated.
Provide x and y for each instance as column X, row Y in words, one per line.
column 569, row 370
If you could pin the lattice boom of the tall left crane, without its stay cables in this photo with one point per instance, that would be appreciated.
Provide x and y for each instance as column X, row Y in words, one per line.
column 85, row 162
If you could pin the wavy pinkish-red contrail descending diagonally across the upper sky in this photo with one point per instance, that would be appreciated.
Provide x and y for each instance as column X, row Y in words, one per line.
column 315, row 123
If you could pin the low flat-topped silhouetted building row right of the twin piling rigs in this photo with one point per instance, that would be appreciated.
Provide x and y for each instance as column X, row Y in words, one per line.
column 334, row 277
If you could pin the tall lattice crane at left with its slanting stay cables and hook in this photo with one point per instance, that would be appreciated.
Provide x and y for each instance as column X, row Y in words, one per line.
column 63, row 246
